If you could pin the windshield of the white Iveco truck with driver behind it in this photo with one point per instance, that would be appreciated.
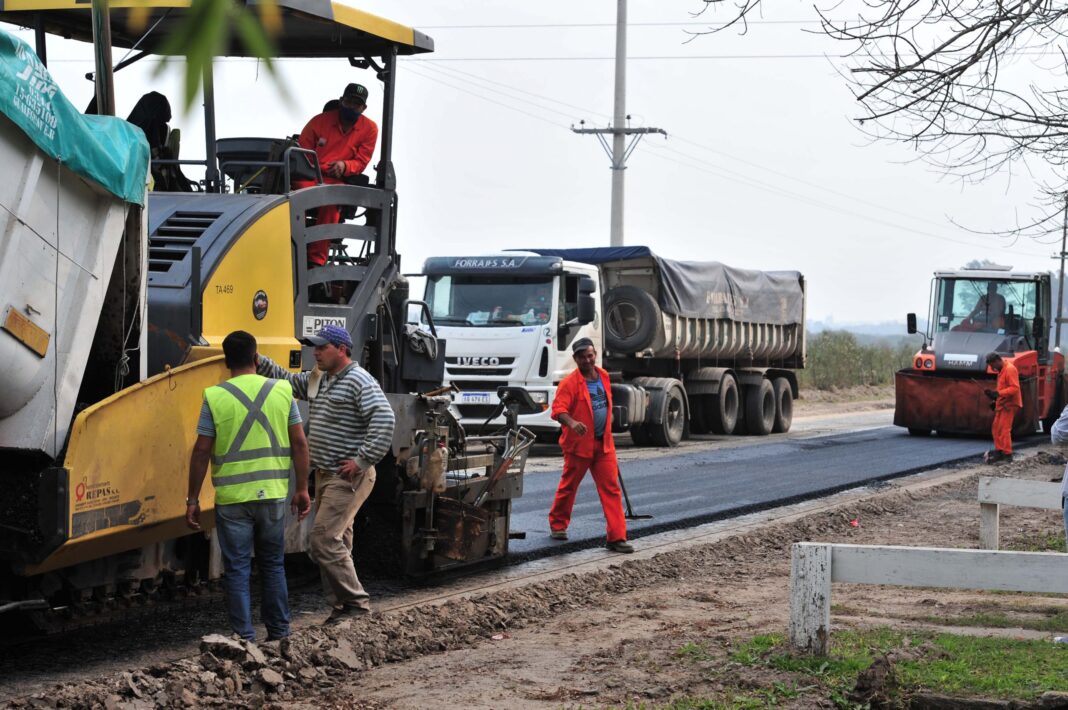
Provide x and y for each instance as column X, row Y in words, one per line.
column 490, row 302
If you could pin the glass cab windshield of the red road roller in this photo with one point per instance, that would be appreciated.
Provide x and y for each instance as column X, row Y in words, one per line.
column 986, row 306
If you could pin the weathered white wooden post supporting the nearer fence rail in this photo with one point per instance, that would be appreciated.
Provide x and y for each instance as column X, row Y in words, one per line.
column 811, row 598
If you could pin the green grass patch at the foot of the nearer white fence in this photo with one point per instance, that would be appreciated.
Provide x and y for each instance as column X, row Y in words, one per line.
column 947, row 664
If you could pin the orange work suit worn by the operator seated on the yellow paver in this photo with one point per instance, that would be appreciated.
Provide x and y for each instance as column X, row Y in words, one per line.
column 332, row 143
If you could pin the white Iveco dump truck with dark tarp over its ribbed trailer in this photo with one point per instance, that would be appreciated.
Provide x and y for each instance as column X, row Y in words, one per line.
column 692, row 346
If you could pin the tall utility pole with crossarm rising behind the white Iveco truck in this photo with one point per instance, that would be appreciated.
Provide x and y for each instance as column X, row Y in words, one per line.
column 620, row 152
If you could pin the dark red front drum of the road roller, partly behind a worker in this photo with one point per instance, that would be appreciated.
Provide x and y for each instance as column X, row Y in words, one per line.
column 956, row 405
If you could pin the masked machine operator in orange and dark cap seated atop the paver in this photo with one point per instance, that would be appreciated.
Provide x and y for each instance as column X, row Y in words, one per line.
column 344, row 139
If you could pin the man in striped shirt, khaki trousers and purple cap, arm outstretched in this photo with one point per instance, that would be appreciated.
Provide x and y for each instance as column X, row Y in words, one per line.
column 350, row 431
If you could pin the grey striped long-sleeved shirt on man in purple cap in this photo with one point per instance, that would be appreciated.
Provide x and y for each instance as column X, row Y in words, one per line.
column 349, row 419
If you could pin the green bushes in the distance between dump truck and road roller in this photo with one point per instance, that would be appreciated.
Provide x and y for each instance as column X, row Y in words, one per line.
column 839, row 359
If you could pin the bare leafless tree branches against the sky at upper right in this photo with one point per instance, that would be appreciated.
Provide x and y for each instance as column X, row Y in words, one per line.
column 977, row 86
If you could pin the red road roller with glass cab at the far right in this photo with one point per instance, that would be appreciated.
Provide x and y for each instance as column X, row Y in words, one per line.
column 973, row 313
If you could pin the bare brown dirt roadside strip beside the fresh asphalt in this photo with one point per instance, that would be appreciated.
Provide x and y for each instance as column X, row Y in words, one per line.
column 606, row 638
